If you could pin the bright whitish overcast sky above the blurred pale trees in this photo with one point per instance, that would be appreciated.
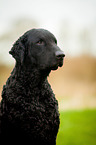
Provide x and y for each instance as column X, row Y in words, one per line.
column 49, row 13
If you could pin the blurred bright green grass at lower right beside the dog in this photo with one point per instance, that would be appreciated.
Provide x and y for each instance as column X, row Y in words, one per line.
column 77, row 128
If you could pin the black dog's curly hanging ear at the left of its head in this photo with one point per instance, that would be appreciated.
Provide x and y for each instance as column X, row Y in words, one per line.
column 18, row 50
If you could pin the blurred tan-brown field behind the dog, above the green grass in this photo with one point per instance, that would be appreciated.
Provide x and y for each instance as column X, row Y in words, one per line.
column 74, row 84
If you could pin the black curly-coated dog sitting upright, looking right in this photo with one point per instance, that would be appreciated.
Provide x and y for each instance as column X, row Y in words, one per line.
column 29, row 110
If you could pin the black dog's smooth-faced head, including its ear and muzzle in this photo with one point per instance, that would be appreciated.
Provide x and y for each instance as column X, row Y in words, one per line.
column 38, row 48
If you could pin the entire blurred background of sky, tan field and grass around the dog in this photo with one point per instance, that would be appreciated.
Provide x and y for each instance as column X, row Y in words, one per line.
column 73, row 22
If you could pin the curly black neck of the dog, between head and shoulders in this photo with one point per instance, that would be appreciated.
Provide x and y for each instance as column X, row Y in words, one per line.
column 30, row 76
